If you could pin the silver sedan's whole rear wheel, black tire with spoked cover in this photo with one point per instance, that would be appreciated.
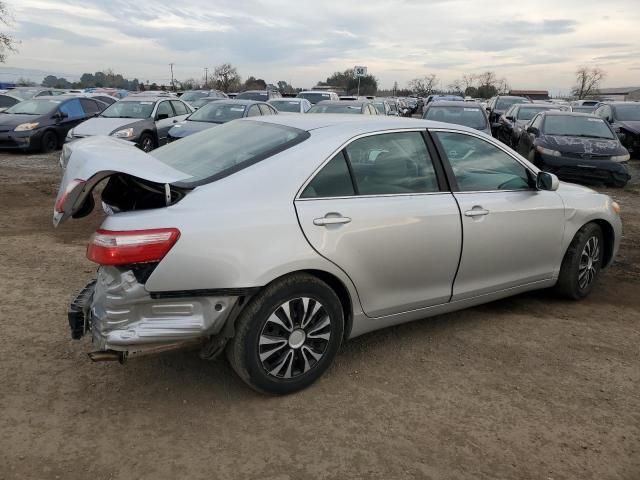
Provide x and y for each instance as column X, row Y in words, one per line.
column 288, row 335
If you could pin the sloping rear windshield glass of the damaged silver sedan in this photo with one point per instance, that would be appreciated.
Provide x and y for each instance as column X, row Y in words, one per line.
column 218, row 152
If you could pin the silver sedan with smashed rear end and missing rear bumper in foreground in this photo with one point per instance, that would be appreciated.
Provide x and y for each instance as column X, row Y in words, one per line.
column 362, row 224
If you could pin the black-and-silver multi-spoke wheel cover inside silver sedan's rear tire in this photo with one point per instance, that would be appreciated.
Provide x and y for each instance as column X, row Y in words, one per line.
column 294, row 338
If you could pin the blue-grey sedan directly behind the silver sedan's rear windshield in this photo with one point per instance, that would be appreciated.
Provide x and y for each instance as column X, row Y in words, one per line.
column 216, row 113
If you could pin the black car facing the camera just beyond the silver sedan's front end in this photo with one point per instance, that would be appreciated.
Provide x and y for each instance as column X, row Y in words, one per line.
column 577, row 147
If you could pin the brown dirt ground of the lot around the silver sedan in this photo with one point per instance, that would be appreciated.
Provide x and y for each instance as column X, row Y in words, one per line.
column 532, row 387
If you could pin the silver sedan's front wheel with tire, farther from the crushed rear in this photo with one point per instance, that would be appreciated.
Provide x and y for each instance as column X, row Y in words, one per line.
column 582, row 263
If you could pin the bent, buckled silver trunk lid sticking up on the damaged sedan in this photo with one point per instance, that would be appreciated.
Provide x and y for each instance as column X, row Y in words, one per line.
column 91, row 160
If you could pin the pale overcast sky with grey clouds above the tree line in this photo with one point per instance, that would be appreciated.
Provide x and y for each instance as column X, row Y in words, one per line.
column 533, row 44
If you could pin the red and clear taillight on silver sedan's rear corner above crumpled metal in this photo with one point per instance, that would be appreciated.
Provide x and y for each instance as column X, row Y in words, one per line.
column 108, row 247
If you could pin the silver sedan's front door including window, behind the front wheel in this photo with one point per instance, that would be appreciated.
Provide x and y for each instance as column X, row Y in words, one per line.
column 512, row 232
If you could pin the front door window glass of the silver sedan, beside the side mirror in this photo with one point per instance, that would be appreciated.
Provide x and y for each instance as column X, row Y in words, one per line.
column 480, row 166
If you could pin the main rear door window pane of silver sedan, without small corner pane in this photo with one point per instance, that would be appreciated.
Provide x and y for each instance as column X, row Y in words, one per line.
column 392, row 163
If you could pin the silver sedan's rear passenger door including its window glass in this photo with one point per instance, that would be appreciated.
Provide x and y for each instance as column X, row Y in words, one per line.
column 378, row 210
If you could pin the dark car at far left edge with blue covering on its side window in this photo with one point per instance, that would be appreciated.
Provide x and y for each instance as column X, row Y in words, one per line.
column 41, row 123
